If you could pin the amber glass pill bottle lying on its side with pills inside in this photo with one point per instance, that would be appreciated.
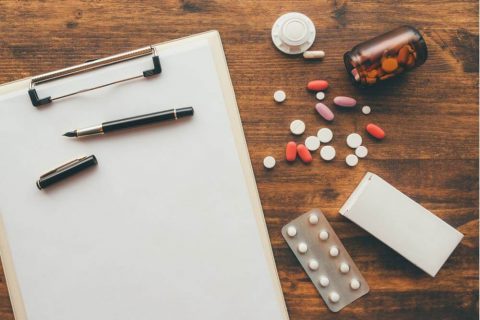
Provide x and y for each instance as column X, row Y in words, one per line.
column 386, row 56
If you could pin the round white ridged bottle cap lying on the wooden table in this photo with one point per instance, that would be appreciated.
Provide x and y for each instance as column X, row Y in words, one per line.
column 293, row 33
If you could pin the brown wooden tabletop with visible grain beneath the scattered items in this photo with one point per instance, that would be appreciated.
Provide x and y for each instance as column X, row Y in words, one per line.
column 430, row 116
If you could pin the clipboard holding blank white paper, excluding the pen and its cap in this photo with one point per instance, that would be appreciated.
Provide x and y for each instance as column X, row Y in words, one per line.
column 139, row 255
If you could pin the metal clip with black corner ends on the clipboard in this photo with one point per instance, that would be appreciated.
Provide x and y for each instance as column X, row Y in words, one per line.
column 92, row 65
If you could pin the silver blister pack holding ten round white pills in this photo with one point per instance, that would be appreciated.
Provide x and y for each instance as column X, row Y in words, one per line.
column 325, row 260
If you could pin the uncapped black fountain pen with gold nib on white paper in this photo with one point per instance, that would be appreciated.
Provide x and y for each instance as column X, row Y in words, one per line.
column 172, row 114
